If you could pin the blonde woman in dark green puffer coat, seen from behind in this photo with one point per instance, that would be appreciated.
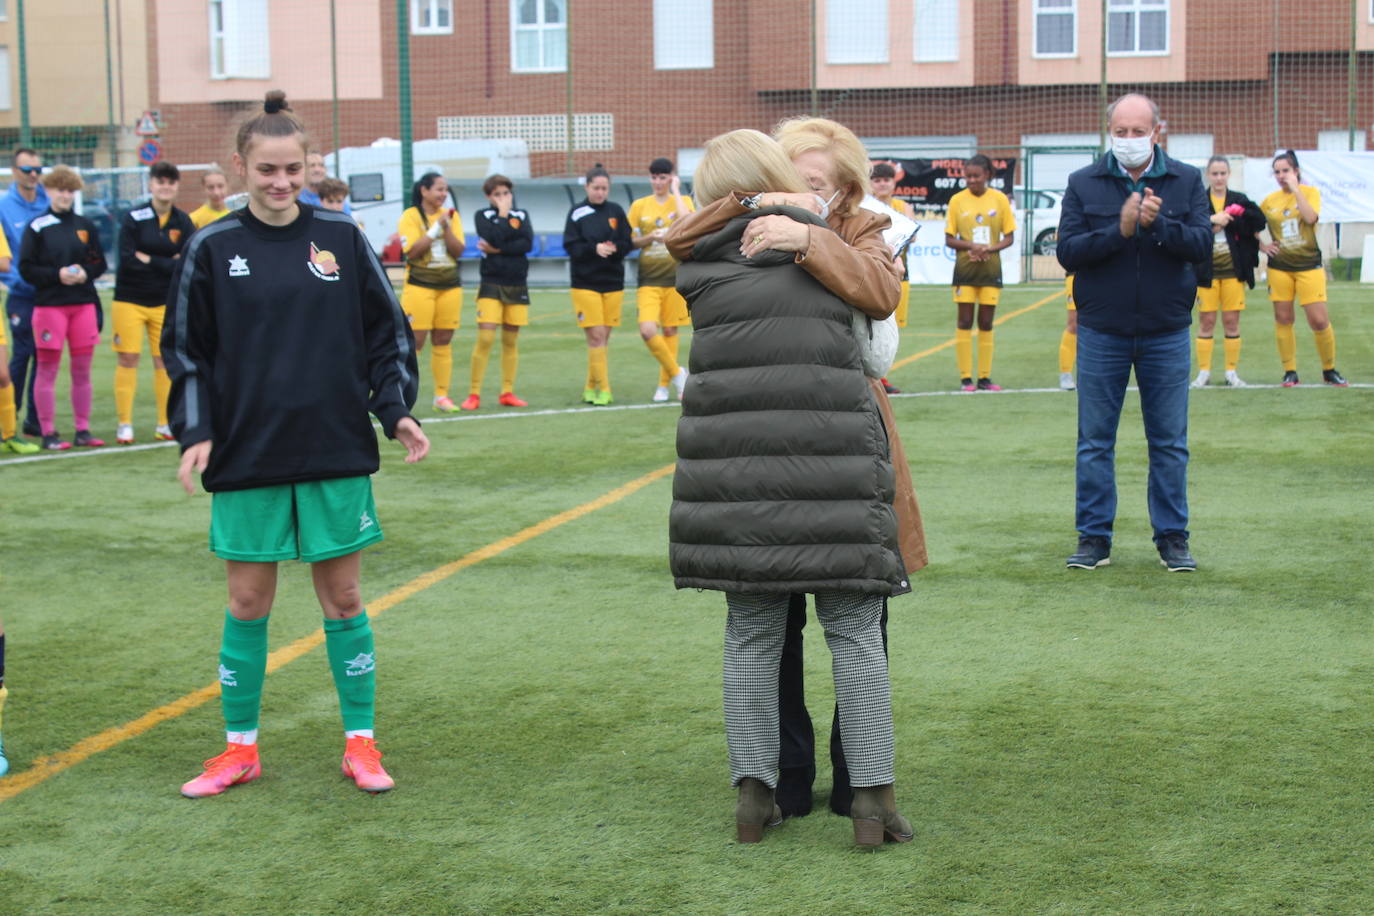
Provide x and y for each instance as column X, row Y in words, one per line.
column 785, row 484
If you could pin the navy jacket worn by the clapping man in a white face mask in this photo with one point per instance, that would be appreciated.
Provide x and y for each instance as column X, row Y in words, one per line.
column 1145, row 285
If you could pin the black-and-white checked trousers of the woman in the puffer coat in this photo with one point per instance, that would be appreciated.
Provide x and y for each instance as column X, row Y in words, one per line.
column 755, row 630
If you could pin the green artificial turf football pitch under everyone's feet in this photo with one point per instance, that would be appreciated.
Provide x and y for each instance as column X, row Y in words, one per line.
column 1123, row 741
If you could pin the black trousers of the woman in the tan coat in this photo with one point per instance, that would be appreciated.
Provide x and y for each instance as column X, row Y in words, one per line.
column 798, row 735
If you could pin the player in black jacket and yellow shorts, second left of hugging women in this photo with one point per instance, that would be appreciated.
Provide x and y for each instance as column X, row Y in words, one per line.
column 597, row 240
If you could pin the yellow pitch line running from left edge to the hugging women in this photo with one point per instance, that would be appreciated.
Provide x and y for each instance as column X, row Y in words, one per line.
column 54, row 764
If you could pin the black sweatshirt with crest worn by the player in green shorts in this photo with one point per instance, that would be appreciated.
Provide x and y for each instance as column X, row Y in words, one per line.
column 280, row 341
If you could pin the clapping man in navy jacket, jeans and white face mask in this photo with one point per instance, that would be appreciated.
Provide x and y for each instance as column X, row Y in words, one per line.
column 1133, row 226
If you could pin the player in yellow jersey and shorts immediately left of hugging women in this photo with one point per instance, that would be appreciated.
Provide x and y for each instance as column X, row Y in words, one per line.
column 662, row 308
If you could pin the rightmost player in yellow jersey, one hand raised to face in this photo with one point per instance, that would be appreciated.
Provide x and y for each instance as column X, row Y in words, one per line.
column 1296, row 268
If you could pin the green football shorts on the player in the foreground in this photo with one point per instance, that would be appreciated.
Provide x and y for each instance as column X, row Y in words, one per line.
column 314, row 521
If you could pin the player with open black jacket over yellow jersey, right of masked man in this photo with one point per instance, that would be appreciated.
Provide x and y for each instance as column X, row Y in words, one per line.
column 1222, row 281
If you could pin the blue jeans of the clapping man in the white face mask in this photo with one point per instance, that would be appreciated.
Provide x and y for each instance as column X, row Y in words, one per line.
column 1162, row 371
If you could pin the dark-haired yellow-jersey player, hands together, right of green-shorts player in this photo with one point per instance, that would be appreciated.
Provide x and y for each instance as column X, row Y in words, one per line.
column 432, row 237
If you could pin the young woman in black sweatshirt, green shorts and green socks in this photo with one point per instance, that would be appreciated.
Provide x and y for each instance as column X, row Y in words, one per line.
column 282, row 336
